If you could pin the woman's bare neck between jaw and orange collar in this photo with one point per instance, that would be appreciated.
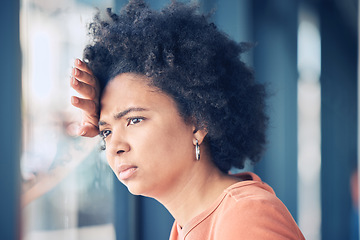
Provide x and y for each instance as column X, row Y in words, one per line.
column 196, row 191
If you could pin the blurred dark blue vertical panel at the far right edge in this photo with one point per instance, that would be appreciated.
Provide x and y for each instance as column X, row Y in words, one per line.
column 339, row 120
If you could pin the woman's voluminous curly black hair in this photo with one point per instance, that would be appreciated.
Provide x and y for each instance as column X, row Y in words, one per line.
column 188, row 58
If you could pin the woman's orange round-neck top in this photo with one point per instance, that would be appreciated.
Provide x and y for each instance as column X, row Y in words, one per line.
column 247, row 210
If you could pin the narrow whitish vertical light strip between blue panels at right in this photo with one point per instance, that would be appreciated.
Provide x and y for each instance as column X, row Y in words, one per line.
column 309, row 128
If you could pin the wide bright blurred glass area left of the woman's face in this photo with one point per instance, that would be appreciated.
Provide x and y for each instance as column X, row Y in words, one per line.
column 67, row 185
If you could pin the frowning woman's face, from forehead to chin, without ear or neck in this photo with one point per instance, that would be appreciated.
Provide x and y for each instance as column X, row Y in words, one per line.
column 148, row 145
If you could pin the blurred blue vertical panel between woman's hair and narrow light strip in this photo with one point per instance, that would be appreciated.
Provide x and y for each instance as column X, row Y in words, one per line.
column 275, row 32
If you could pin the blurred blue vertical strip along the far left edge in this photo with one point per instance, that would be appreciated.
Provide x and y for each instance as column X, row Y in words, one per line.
column 10, row 119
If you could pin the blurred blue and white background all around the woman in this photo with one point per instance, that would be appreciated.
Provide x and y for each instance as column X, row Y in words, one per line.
column 55, row 185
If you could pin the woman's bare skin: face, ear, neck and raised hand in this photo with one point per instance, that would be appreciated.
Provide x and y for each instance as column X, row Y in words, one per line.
column 149, row 146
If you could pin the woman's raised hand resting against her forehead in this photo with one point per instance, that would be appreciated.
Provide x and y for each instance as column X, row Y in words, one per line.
column 84, row 82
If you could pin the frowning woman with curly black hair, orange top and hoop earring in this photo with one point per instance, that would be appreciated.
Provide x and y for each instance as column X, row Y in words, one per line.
column 177, row 109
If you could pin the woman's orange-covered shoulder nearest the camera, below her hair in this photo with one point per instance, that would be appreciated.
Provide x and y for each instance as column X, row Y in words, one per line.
column 251, row 210
